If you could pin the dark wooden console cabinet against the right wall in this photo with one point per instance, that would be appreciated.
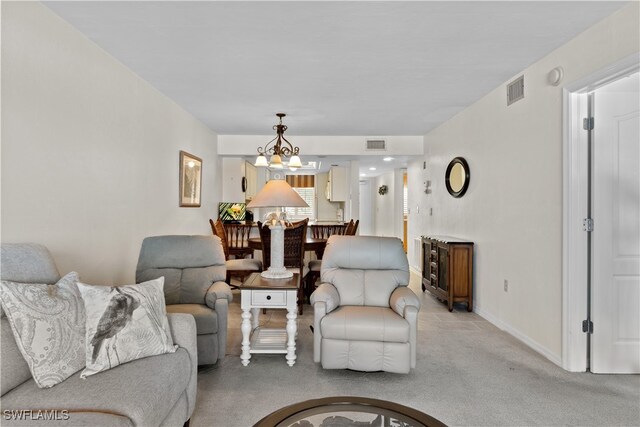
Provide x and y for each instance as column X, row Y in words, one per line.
column 447, row 269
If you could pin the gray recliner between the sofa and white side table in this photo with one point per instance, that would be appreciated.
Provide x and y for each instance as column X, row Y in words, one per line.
column 194, row 272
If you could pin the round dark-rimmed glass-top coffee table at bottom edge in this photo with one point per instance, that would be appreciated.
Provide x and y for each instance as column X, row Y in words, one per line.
column 348, row 411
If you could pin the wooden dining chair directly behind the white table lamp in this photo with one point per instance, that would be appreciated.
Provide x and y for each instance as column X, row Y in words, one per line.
column 294, row 238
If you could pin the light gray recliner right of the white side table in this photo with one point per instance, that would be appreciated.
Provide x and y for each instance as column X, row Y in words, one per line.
column 365, row 315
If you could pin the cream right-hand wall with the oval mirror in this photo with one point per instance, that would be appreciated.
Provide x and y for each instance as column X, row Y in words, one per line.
column 513, row 208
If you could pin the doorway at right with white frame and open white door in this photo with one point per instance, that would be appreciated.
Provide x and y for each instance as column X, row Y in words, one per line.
column 601, row 234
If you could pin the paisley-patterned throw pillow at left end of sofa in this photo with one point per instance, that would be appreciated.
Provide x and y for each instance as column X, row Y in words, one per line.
column 48, row 323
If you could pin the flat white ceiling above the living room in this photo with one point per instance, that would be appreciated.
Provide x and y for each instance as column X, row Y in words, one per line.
column 336, row 68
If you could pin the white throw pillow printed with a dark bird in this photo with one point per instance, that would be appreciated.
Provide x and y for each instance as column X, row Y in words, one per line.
column 124, row 323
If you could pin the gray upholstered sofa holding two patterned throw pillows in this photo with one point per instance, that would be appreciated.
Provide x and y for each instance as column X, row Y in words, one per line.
column 154, row 391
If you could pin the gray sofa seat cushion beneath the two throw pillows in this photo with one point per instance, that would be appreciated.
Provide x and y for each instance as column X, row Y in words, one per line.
column 144, row 390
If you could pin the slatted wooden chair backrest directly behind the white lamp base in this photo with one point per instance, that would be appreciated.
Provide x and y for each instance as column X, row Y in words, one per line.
column 294, row 238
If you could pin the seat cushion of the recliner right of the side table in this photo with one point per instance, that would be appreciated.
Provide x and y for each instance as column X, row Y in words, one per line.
column 364, row 324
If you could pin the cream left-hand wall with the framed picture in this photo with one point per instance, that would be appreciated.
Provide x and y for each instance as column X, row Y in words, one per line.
column 90, row 151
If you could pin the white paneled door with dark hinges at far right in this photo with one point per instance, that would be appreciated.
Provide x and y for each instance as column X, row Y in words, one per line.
column 616, row 237
